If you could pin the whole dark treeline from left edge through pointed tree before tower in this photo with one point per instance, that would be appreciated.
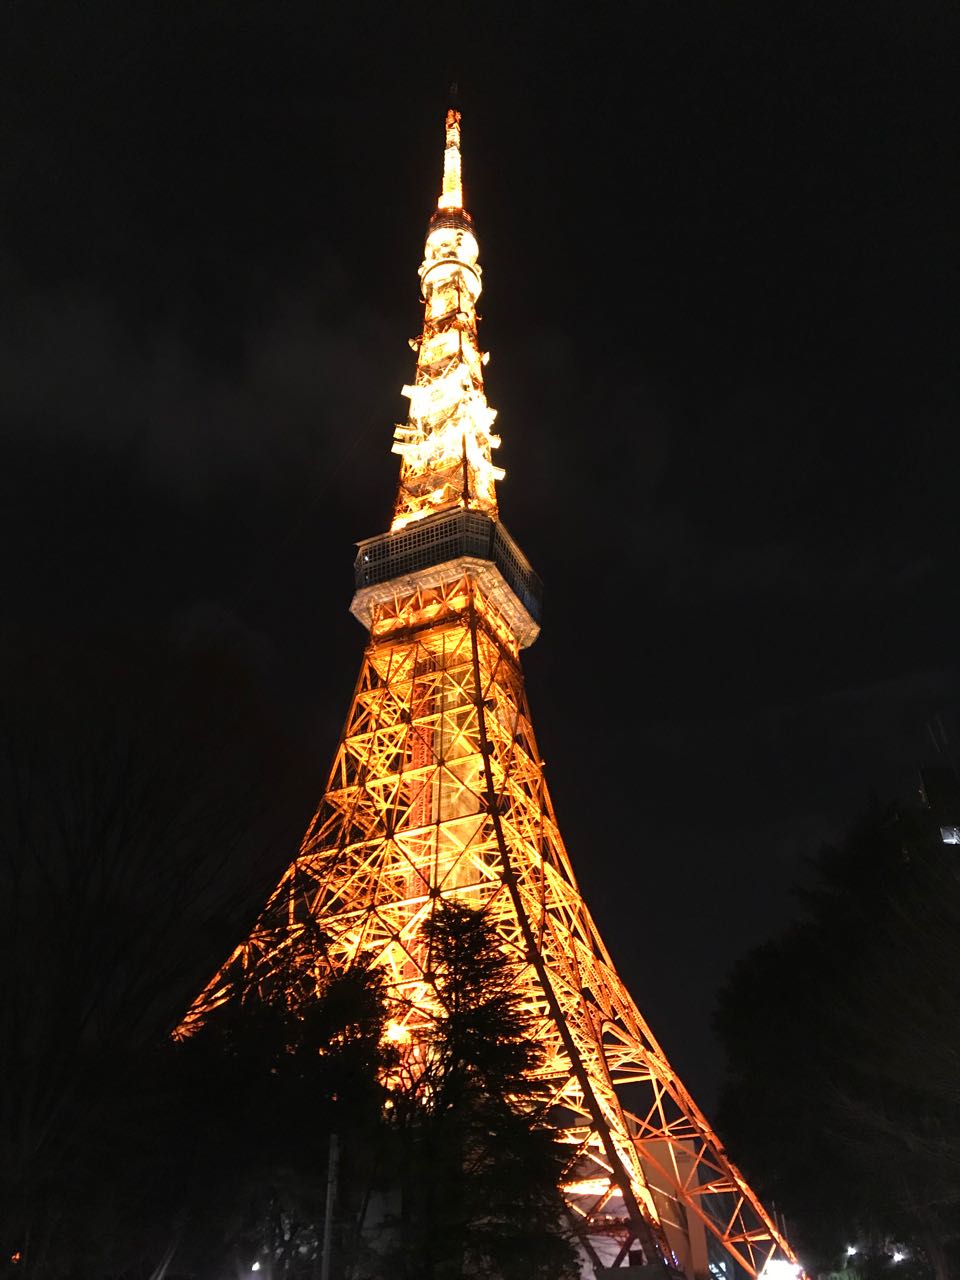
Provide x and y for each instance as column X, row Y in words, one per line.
column 148, row 810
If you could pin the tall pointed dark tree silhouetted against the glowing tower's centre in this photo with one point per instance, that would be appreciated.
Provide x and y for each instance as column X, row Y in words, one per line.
column 479, row 1172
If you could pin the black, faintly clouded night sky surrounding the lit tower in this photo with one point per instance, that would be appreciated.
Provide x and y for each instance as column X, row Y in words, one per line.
column 721, row 273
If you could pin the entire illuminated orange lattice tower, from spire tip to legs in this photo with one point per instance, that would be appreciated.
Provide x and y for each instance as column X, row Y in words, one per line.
column 438, row 792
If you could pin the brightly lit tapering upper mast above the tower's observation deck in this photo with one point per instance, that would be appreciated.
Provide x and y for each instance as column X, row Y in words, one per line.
column 446, row 444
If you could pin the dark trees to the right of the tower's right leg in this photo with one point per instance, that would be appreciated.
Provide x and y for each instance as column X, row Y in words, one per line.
column 843, row 1040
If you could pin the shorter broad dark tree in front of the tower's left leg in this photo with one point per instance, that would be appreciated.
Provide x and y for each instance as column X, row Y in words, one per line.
column 267, row 1090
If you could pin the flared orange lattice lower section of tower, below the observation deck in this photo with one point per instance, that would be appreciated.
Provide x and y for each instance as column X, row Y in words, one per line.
column 438, row 792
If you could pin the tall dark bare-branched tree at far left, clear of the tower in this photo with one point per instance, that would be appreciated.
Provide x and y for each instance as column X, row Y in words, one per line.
column 147, row 801
